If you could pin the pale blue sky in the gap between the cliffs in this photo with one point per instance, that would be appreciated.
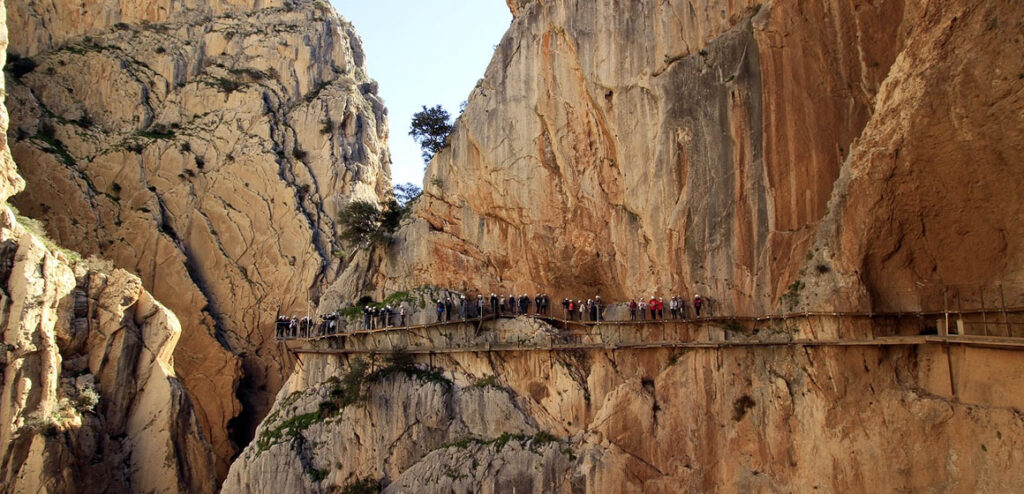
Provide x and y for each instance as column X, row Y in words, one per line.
column 424, row 54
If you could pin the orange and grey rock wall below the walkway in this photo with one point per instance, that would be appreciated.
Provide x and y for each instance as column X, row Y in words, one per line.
column 769, row 420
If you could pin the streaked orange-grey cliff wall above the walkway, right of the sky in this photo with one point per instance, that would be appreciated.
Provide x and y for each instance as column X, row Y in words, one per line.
column 632, row 148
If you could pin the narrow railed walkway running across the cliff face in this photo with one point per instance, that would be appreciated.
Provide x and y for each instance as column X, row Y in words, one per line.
column 986, row 311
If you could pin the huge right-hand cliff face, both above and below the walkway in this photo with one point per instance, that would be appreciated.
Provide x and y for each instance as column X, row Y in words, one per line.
column 730, row 149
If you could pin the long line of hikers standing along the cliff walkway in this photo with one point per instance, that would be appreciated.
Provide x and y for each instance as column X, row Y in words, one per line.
column 459, row 308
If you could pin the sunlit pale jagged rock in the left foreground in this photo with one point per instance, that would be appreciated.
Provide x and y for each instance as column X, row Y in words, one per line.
column 90, row 399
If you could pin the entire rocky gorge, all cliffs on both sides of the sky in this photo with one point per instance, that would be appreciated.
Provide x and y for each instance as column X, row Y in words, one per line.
column 775, row 156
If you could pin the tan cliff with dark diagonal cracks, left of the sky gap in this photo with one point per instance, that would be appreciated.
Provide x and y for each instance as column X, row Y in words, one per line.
column 205, row 147
